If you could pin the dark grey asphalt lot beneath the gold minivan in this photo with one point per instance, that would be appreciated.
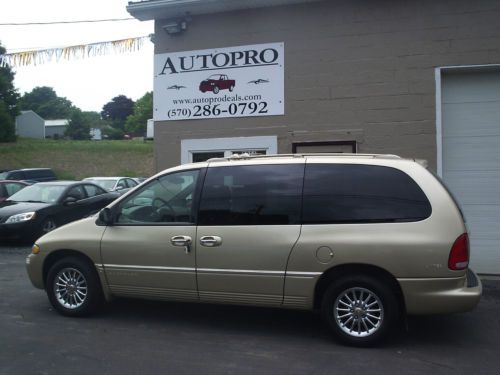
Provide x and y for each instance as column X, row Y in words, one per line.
column 142, row 337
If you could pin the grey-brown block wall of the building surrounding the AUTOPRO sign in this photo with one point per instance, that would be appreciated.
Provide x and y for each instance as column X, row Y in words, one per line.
column 354, row 70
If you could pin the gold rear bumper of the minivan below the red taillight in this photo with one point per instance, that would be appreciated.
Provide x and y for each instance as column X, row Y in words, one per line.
column 441, row 296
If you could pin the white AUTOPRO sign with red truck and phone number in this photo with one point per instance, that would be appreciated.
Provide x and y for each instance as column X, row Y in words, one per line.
column 214, row 83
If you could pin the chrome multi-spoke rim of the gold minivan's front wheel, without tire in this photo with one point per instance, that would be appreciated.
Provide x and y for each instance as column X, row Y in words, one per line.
column 70, row 288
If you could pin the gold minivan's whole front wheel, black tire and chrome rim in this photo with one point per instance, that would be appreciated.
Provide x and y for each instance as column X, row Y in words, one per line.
column 73, row 287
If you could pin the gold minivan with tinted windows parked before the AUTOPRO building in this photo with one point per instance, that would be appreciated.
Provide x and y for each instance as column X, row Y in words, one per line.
column 365, row 239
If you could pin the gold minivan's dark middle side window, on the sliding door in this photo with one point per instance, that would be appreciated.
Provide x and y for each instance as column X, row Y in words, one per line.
column 252, row 195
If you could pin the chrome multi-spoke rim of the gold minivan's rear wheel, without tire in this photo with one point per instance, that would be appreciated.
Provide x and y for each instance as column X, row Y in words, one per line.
column 358, row 312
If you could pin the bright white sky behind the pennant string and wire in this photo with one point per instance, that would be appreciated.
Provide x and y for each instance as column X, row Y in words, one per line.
column 91, row 82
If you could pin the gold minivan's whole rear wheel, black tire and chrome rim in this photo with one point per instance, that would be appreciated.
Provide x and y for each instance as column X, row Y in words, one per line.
column 360, row 310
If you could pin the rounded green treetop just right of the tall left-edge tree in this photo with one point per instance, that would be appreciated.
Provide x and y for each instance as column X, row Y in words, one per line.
column 45, row 102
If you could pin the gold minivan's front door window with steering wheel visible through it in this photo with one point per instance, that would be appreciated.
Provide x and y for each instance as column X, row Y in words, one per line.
column 166, row 200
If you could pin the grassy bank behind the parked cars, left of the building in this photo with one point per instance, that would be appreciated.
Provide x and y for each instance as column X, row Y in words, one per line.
column 79, row 159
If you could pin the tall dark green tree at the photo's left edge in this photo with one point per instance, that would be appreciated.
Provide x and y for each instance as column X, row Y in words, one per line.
column 8, row 103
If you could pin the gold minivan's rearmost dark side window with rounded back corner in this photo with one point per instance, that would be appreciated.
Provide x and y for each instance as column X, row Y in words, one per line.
column 341, row 193
